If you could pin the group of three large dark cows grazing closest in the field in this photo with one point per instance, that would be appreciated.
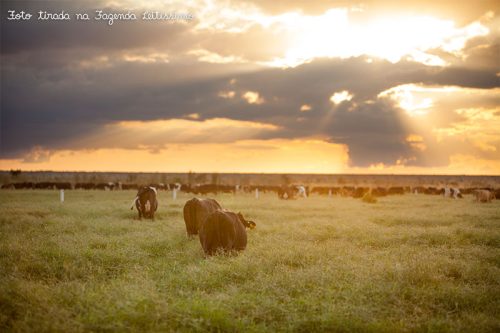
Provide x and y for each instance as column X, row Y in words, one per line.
column 218, row 229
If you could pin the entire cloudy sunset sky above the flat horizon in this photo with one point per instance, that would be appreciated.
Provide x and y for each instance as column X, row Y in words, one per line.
column 391, row 87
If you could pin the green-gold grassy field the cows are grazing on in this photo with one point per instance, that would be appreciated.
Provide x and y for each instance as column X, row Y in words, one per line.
column 407, row 263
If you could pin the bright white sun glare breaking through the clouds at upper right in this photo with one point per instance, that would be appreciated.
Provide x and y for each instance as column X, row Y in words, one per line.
column 391, row 38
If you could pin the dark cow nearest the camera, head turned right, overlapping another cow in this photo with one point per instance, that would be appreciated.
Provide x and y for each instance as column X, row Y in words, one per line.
column 224, row 230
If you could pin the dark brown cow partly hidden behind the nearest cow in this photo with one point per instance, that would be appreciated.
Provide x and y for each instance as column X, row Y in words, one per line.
column 196, row 211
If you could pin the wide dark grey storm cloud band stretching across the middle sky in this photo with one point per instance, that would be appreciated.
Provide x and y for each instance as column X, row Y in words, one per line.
column 58, row 108
